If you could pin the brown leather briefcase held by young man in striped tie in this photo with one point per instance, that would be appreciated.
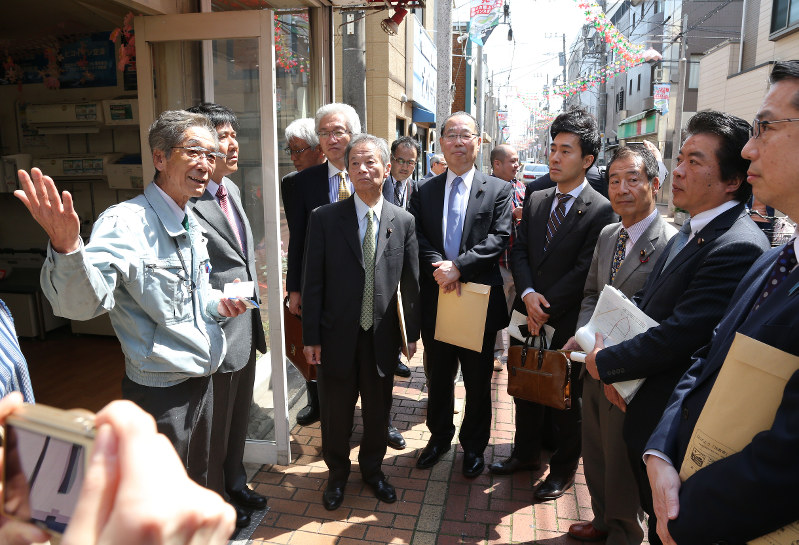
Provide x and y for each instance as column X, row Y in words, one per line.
column 539, row 375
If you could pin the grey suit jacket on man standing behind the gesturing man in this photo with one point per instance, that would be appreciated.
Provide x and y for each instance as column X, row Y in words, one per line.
column 228, row 262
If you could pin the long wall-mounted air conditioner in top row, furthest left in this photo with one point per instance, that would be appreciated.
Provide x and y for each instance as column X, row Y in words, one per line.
column 66, row 118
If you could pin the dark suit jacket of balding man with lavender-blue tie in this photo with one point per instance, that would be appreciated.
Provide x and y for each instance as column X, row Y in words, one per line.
column 486, row 230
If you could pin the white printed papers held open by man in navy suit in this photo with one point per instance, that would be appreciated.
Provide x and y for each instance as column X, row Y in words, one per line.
column 618, row 319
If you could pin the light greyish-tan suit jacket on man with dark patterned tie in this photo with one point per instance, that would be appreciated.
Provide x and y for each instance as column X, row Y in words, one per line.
column 635, row 268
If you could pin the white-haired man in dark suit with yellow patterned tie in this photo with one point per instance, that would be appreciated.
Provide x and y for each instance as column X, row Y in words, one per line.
column 314, row 187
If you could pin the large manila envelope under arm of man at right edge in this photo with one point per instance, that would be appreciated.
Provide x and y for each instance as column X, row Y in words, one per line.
column 751, row 382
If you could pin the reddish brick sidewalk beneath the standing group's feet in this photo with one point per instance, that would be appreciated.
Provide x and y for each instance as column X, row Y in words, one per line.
column 437, row 506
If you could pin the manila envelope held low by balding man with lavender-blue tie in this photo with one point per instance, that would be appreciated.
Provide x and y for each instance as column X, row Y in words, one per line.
column 461, row 320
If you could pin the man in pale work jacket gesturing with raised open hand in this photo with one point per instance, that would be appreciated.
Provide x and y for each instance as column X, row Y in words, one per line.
column 147, row 266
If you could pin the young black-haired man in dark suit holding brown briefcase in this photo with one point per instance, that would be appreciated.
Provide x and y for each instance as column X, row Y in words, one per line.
column 550, row 260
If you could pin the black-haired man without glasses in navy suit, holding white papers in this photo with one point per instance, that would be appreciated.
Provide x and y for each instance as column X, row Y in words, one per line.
column 692, row 281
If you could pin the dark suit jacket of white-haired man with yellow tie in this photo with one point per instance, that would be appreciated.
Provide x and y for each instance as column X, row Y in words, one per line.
column 311, row 190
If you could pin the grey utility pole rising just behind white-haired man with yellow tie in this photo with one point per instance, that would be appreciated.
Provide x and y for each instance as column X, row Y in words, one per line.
column 353, row 62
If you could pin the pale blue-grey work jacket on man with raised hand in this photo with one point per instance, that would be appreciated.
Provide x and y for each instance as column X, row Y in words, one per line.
column 162, row 307
